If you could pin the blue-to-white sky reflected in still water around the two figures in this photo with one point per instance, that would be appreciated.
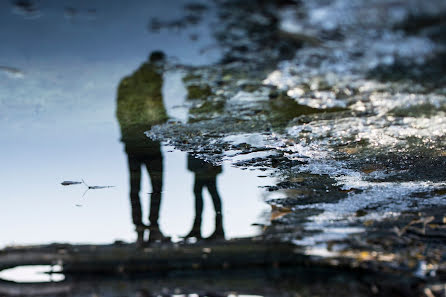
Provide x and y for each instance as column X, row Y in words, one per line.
column 57, row 122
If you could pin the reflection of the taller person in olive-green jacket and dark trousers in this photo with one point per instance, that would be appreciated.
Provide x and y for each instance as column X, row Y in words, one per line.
column 140, row 106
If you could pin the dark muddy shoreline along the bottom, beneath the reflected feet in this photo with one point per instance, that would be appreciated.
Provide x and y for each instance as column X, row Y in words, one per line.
column 239, row 265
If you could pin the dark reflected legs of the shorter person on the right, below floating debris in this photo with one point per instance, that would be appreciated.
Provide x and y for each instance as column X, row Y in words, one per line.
column 205, row 176
